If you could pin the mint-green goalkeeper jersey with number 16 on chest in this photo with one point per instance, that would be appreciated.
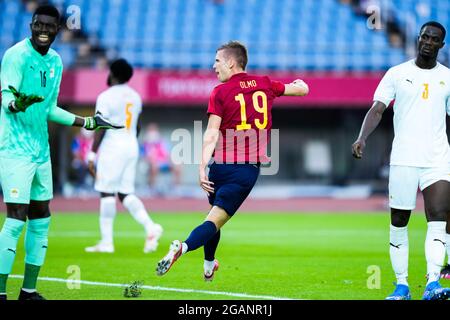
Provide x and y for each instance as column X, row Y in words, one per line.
column 25, row 134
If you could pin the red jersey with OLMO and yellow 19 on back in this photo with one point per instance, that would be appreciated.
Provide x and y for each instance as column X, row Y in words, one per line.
column 244, row 103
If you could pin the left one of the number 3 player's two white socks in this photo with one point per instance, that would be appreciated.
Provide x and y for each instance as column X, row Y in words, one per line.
column 399, row 252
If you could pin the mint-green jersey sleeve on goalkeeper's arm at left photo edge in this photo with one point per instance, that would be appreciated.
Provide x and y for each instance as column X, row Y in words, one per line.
column 11, row 75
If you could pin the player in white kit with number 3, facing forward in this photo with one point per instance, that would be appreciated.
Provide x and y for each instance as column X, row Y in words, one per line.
column 420, row 156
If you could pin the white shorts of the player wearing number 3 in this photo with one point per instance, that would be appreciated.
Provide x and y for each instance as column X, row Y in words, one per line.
column 404, row 182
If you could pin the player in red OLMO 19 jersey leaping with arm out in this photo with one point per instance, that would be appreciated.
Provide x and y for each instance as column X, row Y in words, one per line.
column 240, row 120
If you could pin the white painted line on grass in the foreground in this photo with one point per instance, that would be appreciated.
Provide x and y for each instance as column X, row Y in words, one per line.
column 158, row 288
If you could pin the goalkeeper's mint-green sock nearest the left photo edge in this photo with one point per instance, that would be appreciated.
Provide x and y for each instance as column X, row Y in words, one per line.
column 9, row 236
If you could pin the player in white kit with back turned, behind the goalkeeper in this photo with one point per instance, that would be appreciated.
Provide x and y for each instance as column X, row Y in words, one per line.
column 117, row 159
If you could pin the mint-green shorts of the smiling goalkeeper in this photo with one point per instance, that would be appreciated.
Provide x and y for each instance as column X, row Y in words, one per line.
column 23, row 180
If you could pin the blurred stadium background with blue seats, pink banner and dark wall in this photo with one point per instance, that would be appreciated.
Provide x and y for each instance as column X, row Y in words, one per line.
column 340, row 48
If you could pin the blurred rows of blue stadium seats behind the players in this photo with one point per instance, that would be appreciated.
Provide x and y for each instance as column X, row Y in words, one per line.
column 164, row 34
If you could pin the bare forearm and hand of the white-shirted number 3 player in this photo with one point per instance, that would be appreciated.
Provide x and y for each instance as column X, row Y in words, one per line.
column 371, row 121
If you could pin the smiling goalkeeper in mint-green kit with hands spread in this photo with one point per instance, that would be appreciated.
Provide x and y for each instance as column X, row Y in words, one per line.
column 30, row 79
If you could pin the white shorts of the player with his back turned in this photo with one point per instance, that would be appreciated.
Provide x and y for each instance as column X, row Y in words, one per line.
column 116, row 172
